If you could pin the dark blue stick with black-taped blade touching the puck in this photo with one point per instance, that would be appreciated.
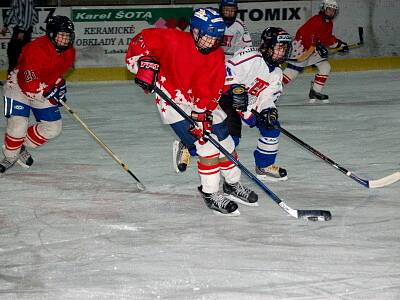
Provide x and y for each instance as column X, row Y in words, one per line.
column 310, row 215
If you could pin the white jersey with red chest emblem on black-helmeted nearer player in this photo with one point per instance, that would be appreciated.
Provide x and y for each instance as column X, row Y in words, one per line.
column 263, row 82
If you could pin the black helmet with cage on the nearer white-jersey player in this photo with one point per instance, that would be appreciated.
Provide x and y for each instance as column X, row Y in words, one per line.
column 276, row 45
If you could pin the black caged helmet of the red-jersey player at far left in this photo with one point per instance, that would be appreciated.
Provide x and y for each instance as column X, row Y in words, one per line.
column 60, row 24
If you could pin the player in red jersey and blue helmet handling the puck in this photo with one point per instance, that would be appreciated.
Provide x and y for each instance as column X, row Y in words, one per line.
column 190, row 68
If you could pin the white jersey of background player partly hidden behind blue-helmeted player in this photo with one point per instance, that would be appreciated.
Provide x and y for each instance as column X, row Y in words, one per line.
column 236, row 36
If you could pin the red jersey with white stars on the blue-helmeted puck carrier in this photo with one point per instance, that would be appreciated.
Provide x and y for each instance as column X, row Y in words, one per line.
column 185, row 73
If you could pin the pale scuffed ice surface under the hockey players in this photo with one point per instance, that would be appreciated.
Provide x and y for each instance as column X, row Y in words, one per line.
column 74, row 226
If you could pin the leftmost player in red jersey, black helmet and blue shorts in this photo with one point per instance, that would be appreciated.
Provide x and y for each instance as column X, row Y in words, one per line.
column 36, row 85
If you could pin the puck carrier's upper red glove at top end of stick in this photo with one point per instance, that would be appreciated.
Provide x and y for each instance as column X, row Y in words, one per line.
column 146, row 76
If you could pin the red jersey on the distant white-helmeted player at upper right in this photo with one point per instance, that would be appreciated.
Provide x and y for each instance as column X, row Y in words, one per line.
column 316, row 29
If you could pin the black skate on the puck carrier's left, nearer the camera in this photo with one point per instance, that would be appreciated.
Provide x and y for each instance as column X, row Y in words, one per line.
column 219, row 203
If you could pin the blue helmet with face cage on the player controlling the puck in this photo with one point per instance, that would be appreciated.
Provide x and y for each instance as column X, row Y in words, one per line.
column 207, row 28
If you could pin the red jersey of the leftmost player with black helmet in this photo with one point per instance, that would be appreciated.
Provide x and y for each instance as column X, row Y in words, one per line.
column 40, row 65
